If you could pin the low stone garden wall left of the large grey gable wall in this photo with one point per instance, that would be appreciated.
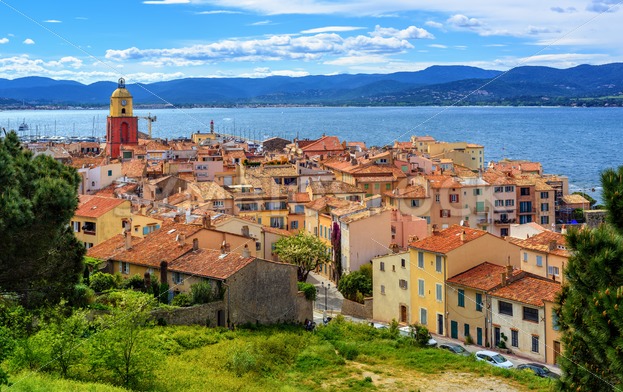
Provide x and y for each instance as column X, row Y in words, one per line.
column 206, row 314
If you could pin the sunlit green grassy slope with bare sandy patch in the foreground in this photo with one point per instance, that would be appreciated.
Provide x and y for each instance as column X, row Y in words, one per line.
column 339, row 357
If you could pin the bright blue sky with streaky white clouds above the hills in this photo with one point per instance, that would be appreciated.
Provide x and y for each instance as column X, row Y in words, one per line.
column 156, row 40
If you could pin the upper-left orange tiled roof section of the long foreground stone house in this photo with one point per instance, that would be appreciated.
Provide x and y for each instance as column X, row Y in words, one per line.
column 160, row 245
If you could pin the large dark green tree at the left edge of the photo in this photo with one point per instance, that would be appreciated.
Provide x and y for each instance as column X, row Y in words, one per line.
column 40, row 258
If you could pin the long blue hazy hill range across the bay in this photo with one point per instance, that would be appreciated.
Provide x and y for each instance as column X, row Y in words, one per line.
column 437, row 85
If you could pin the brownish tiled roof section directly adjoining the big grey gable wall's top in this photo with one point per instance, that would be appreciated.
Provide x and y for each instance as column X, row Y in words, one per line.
column 210, row 263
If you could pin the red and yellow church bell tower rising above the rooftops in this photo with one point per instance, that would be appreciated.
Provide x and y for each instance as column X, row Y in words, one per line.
column 122, row 126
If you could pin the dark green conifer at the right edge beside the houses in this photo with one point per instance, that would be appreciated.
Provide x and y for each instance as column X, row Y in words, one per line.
column 588, row 307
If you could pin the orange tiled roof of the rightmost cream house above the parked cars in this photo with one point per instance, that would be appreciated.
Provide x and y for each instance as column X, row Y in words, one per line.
column 529, row 290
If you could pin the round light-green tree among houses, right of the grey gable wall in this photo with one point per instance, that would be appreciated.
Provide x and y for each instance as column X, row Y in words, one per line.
column 303, row 250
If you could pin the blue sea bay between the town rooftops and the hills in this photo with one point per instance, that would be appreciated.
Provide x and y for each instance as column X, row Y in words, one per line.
column 577, row 142
